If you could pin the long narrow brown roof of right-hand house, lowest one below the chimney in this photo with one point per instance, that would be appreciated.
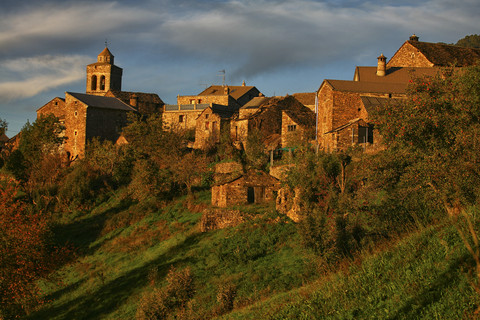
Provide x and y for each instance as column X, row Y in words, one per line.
column 366, row 87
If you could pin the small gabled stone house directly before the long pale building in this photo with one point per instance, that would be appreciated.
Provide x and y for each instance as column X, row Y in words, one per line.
column 210, row 124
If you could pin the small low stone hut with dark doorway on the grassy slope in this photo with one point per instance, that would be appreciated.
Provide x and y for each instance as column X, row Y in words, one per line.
column 251, row 187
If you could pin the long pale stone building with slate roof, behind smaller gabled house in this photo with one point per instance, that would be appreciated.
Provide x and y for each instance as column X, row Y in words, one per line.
column 184, row 114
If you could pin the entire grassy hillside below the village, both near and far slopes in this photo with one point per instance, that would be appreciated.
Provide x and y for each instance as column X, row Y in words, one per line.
column 126, row 250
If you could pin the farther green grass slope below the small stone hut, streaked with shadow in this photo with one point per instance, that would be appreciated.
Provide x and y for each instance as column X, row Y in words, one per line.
column 120, row 242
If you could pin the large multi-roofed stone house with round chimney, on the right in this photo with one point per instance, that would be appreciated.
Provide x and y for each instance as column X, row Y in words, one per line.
column 343, row 106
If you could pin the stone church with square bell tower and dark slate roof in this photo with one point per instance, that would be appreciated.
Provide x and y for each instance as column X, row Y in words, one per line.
column 102, row 111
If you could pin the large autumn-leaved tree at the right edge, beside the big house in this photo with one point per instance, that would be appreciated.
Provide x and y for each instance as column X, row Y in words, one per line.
column 438, row 127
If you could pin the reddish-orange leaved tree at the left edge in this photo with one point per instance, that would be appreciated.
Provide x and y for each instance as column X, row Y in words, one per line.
column 26, row 253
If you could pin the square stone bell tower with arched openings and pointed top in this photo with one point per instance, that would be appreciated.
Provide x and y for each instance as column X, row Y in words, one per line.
column 103, row 75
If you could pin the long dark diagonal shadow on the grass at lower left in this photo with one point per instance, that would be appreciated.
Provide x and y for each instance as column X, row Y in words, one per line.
column 109, row 297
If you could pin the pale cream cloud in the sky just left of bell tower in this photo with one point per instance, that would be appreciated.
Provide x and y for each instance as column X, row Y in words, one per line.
column 31, row 76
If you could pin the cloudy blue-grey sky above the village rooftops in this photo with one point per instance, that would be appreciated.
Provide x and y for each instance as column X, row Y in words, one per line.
column 179, row 47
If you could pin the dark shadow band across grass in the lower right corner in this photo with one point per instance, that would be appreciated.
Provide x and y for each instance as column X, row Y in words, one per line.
column 413, row 308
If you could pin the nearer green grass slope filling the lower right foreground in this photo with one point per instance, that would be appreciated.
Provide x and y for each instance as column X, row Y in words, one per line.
column 424, row 276
